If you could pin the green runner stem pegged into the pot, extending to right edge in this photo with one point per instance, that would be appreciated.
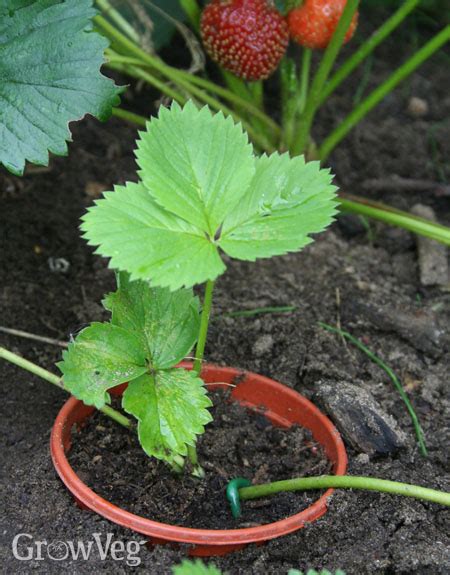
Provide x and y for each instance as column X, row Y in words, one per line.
column 345, row 482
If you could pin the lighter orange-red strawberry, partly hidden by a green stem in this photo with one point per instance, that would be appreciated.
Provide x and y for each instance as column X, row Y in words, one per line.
column 312, row 24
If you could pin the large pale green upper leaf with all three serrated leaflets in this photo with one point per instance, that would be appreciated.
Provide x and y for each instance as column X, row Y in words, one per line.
column 201, row 191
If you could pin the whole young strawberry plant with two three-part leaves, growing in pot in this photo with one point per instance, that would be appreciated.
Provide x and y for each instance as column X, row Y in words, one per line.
column 202, row 192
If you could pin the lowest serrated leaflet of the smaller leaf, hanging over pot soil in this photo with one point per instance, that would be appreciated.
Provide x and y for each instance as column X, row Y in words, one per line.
column 171, row 407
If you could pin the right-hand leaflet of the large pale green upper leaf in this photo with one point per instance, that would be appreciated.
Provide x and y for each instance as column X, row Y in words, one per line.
column 277, row 218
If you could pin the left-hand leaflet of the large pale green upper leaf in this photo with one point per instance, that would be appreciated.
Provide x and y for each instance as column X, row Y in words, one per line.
column 149, row 242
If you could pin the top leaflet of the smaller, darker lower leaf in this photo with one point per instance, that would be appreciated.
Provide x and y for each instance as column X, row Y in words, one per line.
column 166, row 323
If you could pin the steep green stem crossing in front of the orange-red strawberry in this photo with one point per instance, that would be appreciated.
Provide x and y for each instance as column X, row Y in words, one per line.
column 321, row 76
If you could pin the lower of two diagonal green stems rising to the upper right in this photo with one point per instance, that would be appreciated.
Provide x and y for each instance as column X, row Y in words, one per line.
column 379, row 93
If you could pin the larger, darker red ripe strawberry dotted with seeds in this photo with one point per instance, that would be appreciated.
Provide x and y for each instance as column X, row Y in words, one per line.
column 246, row 37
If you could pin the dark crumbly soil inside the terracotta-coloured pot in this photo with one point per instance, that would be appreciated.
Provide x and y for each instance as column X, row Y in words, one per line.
column 239, row 442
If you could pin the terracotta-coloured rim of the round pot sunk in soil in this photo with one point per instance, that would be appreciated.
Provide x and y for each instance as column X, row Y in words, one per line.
column 190, row 535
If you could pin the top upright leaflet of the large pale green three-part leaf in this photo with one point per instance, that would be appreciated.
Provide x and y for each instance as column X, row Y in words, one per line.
column 195, row 164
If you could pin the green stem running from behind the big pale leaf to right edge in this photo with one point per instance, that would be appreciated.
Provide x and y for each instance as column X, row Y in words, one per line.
column 392, row 216
